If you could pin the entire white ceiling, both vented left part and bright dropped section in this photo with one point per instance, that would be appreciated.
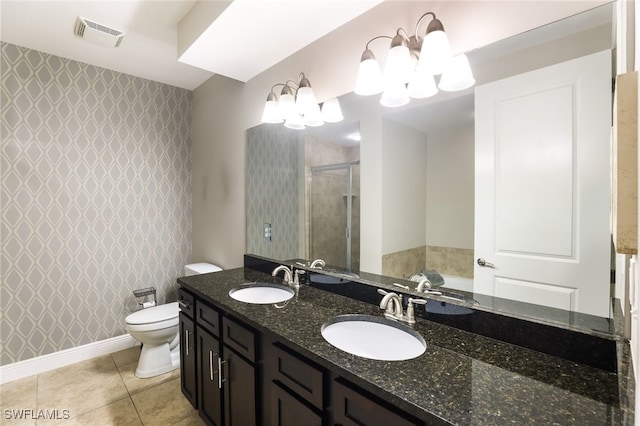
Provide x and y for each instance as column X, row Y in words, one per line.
column 248, row 37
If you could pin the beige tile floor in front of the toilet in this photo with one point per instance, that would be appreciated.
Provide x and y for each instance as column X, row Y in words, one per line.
column 100, row 391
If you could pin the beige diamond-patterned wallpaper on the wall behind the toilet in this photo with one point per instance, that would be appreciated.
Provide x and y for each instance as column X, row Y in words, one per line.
column 95, row 199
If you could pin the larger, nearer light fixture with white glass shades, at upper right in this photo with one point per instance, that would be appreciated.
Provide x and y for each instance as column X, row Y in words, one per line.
column 412, row 64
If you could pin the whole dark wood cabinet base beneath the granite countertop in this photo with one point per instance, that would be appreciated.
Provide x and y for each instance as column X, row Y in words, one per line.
column 237, row 376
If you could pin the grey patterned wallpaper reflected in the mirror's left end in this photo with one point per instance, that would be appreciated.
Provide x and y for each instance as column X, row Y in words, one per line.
column 273, row 184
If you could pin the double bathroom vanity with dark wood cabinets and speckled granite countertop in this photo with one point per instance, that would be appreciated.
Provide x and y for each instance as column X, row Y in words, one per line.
column 245, row 363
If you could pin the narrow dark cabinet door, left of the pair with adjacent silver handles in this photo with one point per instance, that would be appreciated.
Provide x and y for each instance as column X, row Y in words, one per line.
column 209, row 392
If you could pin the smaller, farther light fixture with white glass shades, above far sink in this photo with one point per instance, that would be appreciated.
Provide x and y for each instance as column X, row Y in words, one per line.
column 297, row 106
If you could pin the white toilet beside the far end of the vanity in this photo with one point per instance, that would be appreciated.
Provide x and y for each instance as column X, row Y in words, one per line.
column 157, row 329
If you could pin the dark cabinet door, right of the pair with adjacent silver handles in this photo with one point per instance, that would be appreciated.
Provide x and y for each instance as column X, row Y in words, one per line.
column 239, row 390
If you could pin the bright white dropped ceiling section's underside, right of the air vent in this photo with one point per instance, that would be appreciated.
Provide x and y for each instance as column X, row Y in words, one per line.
column 250, row 36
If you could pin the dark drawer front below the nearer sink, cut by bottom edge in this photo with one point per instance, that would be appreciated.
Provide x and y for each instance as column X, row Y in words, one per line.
column 351, row 407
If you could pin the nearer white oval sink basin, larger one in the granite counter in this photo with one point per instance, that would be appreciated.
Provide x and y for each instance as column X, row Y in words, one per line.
column 373, row 337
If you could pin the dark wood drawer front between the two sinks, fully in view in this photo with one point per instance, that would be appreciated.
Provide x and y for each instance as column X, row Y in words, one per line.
column 297, row 374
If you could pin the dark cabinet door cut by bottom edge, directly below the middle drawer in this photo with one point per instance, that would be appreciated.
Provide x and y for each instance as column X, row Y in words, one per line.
column 286, row 410
